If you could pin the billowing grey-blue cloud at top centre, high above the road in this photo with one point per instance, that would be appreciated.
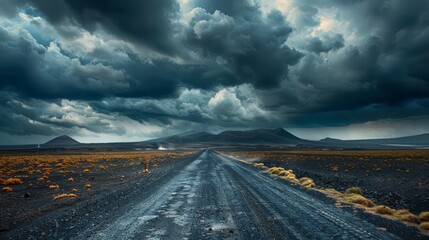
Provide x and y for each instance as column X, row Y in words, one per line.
column 248, row 45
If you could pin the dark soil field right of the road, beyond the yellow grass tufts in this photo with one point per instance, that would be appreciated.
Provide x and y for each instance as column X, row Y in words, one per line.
column 398, row 179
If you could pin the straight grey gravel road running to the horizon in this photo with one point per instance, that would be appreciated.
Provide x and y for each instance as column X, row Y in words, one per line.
column 211, row 197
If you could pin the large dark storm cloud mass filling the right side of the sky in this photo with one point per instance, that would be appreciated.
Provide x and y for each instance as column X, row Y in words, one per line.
column 386, row 67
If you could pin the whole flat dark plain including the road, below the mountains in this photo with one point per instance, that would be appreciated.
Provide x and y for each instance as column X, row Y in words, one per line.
column 206, row 194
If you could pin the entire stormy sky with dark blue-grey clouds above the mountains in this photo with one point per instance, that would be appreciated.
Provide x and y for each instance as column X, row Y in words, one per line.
column 111, row 70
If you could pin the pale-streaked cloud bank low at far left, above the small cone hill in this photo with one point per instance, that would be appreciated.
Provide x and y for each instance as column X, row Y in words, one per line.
column 30, row 116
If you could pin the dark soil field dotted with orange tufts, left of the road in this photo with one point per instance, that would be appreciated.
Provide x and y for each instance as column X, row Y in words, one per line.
column 45, row 176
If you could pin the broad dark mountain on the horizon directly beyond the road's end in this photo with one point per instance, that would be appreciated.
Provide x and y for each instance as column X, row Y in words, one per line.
column 259, row 136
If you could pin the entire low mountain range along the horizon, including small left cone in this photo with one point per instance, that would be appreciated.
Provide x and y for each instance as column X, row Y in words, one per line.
column 277, row 136
